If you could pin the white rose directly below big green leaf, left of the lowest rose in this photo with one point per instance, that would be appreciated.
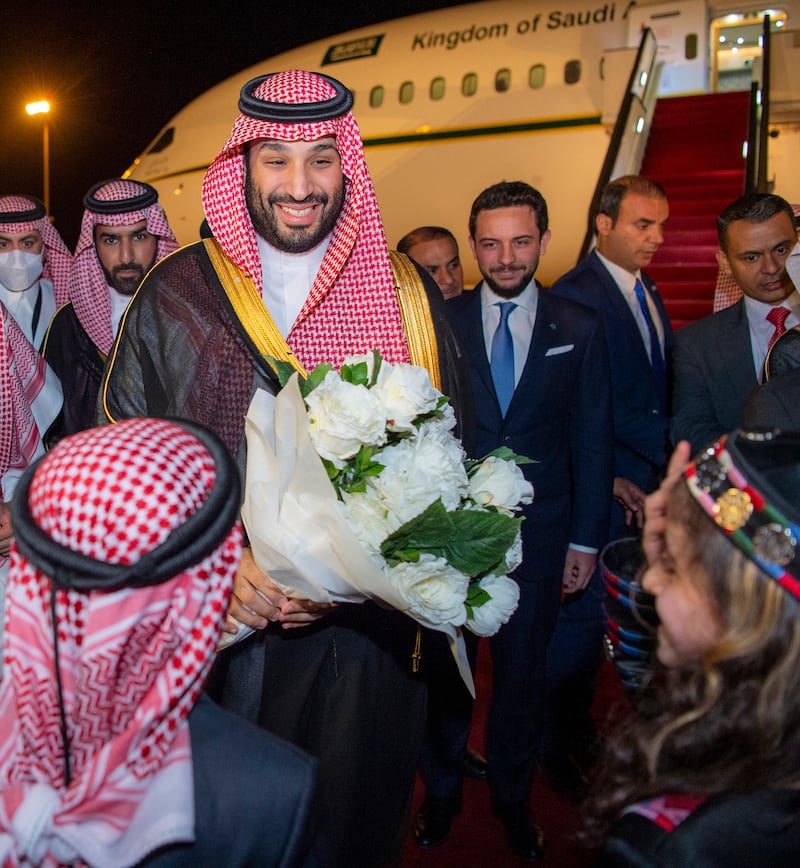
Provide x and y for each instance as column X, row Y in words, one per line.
column 434, row 590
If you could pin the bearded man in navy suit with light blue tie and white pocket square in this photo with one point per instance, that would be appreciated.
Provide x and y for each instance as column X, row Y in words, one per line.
column 540, row 384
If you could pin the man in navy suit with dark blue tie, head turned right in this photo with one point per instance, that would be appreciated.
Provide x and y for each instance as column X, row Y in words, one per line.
column 630, row 224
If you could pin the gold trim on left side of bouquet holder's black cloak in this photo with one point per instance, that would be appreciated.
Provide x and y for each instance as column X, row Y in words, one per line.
column 250, row 310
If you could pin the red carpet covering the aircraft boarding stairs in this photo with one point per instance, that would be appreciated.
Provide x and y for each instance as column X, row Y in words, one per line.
column 695, row 152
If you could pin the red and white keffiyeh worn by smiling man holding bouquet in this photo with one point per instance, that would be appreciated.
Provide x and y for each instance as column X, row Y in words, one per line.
column 352, row 306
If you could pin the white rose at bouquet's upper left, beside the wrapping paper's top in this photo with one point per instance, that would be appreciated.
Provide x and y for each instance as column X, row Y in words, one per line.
column 342, row 418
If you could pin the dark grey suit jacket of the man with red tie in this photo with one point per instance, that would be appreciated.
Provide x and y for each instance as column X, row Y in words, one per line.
column 714, row 375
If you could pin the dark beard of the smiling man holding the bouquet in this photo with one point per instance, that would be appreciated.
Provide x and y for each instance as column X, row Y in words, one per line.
column 292, row 239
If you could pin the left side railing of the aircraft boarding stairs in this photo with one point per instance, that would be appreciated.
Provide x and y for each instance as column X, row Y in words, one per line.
column 631, row 128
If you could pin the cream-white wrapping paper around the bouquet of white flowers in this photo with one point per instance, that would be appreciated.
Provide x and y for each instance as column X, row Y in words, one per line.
column 297, row 530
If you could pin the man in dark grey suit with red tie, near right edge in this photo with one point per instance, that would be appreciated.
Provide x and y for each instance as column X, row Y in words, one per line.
column 718, row 360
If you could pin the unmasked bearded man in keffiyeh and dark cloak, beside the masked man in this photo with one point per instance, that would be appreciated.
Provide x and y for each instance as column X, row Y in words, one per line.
column 124, row 232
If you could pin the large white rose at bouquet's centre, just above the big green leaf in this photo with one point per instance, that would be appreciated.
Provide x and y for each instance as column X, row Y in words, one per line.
column 419, row 470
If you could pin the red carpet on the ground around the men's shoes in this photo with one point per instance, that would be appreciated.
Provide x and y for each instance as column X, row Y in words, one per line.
column 477, row 839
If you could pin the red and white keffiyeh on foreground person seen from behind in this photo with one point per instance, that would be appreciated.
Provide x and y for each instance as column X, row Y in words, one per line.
column 132, row 662
